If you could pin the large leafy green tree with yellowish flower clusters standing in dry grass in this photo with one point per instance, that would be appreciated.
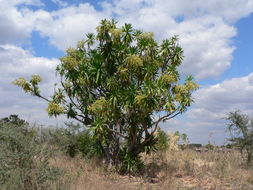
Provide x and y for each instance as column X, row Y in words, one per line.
column 121, row 84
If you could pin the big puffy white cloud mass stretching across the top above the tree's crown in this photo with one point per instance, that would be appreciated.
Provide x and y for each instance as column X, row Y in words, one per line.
column 205, row 29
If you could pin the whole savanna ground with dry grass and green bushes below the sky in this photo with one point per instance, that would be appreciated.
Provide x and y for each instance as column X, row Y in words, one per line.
column 59, row 160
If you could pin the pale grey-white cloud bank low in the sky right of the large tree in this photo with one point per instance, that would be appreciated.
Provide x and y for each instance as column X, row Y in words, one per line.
column 212, row 104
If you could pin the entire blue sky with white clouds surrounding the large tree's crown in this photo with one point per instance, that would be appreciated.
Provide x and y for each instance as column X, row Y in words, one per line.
column 216, row 36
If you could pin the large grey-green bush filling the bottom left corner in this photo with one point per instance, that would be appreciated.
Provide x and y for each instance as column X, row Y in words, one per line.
column 24, row 162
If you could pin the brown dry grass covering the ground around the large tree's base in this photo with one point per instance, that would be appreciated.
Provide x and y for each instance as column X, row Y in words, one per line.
column 173, row 170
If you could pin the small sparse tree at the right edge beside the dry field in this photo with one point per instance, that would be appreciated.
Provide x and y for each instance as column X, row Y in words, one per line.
column 240, row 127
